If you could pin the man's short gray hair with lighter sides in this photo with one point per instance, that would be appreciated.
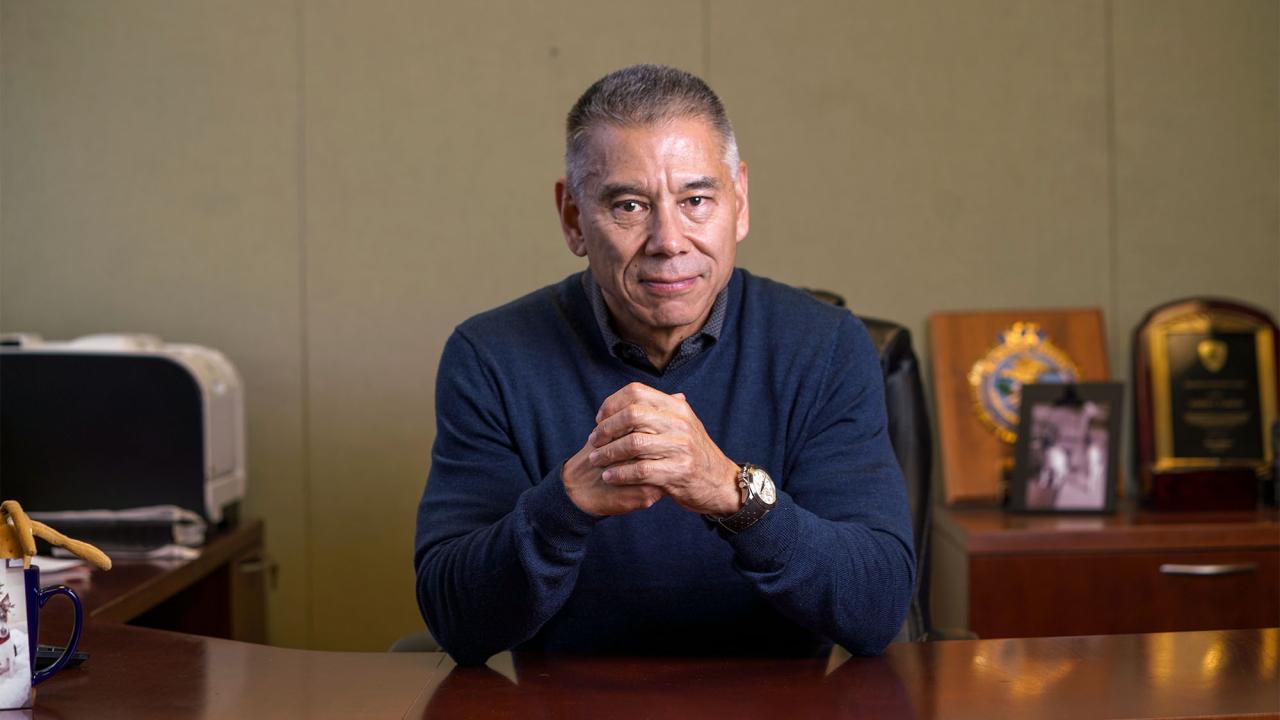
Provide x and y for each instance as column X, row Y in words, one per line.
column 639, row 97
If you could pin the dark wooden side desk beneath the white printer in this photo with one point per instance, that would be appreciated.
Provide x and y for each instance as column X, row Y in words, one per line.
column 222, row 594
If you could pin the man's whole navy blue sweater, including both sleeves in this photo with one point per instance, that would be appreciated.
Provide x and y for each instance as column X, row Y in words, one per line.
column 506, row 560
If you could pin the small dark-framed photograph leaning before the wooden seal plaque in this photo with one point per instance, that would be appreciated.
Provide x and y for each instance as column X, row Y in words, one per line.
column 1068, row 449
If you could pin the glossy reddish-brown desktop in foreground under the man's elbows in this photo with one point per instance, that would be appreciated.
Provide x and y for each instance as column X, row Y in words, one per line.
column 139, row 673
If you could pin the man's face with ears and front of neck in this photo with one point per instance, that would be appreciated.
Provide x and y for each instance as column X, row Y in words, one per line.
column 660, row 222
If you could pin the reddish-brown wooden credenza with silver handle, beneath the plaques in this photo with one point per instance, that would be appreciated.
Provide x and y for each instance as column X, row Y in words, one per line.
column 1007, row 576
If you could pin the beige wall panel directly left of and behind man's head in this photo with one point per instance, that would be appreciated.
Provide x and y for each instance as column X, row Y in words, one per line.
column 435, row 136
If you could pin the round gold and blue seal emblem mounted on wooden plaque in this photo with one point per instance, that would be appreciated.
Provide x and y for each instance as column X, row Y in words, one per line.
column 1023, row 357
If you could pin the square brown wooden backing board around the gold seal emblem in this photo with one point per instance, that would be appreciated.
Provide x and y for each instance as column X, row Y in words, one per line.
column 975, row 457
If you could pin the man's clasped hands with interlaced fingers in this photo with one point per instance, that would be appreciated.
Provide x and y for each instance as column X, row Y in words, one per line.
column 648, row 445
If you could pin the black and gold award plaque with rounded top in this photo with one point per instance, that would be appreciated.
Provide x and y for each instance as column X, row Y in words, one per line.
column 1205, row 403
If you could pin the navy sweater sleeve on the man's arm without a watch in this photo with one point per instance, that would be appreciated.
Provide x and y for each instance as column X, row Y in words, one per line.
column 497, row 554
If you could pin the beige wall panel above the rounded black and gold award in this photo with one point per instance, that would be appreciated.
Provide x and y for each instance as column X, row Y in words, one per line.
column 1197, row 158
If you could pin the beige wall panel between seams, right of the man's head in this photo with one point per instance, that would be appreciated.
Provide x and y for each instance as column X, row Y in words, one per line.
column 922, row 157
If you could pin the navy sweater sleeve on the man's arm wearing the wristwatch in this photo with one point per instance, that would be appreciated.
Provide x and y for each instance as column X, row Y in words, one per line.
column 835, row 555
